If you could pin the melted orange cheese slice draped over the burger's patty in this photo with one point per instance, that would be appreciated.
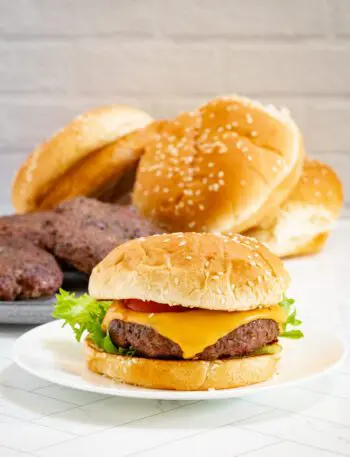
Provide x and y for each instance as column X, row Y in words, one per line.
column 193, row 330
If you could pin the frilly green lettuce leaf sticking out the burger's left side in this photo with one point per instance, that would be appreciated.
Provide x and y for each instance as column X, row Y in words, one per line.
column 85, row 314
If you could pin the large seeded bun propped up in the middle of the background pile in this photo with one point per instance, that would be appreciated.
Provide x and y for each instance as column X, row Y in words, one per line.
column 224, row 167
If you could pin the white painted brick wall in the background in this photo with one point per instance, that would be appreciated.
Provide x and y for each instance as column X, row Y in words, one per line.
column 59, row 57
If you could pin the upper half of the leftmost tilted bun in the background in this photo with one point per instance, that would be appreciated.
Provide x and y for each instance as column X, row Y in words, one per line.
column 53, row 159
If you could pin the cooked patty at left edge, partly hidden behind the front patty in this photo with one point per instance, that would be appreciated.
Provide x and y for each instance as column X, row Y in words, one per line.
column 35, row 227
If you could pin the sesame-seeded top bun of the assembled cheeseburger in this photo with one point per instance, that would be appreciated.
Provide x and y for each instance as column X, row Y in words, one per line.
column 200, row 270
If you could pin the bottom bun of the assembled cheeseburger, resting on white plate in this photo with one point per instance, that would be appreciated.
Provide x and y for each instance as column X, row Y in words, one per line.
column 181, row 374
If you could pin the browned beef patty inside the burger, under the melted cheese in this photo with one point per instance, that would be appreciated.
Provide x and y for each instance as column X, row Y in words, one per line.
column 148, row 343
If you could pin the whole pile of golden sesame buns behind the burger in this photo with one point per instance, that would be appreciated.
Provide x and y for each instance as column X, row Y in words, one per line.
column 230, row 166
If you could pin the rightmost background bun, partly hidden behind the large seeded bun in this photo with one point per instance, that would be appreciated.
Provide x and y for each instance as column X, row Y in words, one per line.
column 302, row 224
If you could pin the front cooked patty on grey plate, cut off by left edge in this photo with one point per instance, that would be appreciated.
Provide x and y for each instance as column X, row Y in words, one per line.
column 26, row 271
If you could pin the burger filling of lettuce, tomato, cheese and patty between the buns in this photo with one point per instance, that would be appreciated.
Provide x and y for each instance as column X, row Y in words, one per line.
column 157, row 330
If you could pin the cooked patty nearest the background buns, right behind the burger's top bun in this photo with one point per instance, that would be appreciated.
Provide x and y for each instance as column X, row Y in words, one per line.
column 87, row 230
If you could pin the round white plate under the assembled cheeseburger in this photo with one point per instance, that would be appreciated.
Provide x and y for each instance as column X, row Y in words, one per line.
column 51, row 352
